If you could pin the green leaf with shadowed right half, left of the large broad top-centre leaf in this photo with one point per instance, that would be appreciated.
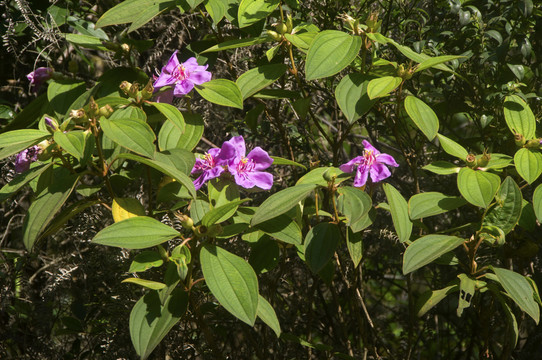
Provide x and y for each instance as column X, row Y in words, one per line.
column 258, row 78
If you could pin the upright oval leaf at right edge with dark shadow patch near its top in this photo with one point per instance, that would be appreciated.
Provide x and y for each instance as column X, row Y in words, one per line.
column 519, row 117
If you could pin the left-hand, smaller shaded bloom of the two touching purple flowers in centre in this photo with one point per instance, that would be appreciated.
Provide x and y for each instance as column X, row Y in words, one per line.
column 213, row 164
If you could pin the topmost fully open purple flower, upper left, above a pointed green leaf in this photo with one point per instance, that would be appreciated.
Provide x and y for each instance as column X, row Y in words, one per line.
column 183, row 76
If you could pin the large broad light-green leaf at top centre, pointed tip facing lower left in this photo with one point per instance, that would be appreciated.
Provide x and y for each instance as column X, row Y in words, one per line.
column 330, row 52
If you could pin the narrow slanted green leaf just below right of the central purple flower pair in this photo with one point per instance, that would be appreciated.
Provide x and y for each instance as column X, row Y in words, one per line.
column 280, row 202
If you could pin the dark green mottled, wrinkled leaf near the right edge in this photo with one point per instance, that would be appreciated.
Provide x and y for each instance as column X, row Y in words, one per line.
column 505, row 213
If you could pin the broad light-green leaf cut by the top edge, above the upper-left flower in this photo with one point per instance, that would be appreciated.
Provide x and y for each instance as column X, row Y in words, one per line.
column 138, row 11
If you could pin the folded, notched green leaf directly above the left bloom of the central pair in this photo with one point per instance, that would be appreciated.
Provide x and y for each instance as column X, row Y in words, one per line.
column 170, row 137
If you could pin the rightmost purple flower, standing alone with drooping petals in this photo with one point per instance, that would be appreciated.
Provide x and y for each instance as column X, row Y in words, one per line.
column 371, row 162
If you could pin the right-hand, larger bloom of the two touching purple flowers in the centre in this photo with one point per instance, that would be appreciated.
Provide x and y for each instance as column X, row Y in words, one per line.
column 247, row 170
